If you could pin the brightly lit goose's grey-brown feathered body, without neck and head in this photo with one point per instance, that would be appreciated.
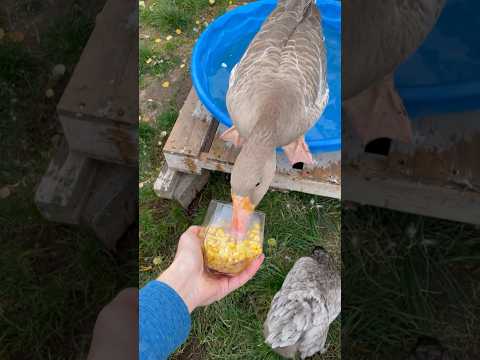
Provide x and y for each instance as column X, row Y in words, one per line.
column 279, row 87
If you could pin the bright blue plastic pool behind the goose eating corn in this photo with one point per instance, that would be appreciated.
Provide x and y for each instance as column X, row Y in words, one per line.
column 224, row 42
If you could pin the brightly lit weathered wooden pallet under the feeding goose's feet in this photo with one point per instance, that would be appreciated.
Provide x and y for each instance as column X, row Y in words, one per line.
column 194, row 147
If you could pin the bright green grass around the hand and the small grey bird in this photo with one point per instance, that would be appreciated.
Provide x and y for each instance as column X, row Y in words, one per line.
column 297, row 229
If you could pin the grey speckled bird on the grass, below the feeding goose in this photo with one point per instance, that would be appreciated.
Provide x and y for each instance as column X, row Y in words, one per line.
column 302, row 311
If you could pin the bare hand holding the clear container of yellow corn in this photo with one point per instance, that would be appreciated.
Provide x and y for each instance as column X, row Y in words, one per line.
column 188, row 277
